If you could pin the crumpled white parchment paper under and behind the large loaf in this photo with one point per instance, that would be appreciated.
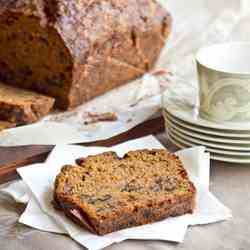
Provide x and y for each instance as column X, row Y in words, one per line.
column 140, row 100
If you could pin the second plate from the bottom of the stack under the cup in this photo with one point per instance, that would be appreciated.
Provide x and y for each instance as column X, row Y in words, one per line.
column 236, row 147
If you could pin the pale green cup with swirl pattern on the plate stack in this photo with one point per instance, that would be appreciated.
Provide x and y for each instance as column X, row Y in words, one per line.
column 224, row 82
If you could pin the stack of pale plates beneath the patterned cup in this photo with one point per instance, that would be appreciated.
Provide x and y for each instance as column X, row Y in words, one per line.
column 227, row 142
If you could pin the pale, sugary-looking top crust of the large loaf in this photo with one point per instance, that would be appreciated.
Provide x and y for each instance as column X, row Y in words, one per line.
column 94, row 20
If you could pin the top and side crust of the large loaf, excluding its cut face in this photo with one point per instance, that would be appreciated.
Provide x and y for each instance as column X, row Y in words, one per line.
column 118, row 35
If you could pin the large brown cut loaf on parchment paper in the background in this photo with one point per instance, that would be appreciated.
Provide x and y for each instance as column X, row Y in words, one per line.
column 76, row 50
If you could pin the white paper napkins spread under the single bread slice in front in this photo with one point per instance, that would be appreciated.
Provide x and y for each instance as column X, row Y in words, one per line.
column 40, row 213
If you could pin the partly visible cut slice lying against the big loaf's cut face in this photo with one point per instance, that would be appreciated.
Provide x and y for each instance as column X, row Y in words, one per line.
column 22, row 106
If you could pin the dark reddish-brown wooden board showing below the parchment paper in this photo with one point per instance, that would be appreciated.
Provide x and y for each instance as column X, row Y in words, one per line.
column 13, row 157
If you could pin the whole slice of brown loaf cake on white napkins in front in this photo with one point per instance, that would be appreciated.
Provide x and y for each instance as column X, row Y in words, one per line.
column 105, row 193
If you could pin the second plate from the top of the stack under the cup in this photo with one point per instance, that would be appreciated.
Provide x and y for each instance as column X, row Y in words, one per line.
column 207, row 131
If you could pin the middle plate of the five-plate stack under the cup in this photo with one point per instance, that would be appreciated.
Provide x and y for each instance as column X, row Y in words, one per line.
column 211, row 138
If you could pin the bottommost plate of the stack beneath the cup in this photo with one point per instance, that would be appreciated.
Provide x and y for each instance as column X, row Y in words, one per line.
column 219, row 157
